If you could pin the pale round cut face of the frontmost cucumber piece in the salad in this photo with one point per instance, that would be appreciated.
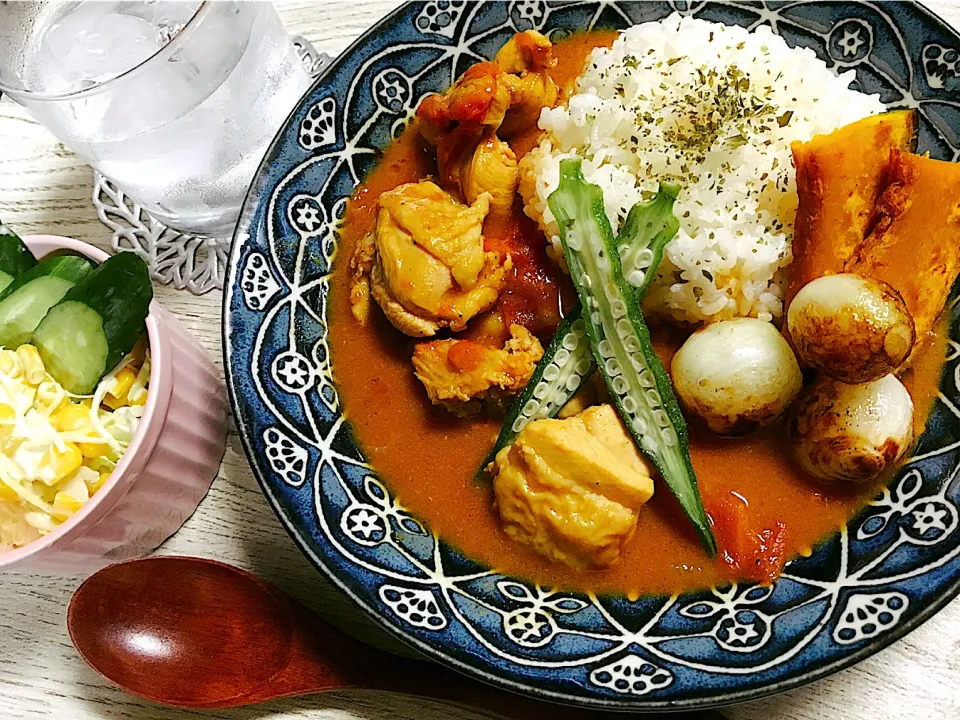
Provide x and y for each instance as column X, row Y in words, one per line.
column 73, row 346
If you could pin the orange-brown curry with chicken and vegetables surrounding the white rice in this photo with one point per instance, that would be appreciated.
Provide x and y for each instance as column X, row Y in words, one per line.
column 433, row 341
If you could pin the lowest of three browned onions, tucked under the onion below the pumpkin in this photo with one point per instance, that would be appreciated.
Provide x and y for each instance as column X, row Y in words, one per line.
column 851, row 433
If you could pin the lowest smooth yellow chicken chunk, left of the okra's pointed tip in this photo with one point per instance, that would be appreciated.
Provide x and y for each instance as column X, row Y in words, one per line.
column 572, row 489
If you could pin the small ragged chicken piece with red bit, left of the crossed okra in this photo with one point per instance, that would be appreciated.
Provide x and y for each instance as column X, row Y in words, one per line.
column 462, row 375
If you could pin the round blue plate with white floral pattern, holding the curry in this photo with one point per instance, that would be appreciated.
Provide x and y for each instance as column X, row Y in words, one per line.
column 894, row 566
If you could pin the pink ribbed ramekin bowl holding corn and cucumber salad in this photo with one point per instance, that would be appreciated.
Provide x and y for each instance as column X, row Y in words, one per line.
column 166, row 470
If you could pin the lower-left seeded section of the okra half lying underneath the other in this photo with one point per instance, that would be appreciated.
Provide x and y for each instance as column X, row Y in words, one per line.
column 566, row 364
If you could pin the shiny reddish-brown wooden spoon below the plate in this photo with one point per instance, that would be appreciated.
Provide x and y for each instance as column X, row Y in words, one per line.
column 198, row 633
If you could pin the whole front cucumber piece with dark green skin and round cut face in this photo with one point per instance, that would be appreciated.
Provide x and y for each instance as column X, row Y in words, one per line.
column 96, row 324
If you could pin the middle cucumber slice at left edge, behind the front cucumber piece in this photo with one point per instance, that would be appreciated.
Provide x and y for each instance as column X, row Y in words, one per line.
column 28, row 298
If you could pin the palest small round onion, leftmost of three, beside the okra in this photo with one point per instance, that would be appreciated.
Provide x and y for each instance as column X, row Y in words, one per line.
column 737, row 375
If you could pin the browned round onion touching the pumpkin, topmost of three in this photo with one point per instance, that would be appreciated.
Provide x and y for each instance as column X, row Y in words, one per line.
column 852, row 328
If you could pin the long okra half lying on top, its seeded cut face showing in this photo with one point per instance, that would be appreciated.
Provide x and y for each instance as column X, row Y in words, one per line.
column 638, row 384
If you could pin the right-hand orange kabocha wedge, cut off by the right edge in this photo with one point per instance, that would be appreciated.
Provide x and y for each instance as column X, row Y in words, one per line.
column 915, row 246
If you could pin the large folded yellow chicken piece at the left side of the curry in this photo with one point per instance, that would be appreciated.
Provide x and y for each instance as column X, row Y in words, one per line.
column 425, row 264
